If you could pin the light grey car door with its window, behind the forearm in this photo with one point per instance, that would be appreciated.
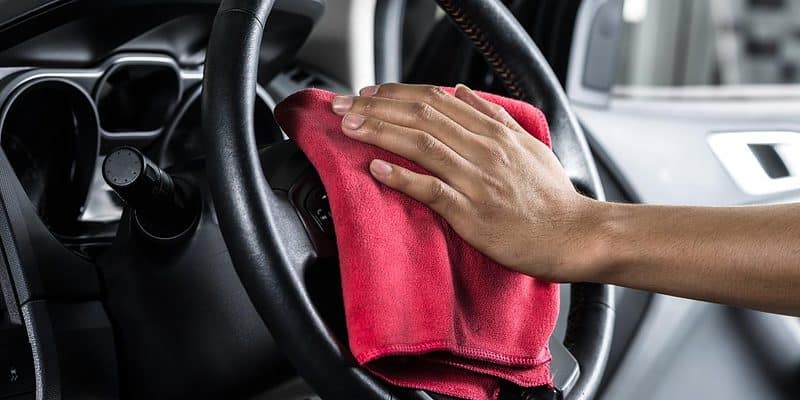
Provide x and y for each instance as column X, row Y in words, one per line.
column 700, row 105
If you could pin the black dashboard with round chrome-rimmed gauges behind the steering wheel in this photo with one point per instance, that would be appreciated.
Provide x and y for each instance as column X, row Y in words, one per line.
column 79, row 79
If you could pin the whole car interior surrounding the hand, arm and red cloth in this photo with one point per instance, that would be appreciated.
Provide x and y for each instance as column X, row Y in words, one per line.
column 163, row 238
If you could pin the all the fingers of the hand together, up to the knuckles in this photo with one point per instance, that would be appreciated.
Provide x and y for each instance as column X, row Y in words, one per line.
column 436, row 131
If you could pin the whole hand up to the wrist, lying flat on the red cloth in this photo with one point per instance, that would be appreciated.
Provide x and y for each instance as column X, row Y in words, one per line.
column 500, row 189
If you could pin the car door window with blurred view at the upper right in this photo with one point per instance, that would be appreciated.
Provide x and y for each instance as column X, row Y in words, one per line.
column 709, row 49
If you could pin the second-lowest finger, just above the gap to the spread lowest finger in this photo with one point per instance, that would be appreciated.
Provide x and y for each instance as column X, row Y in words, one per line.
column 415, row 145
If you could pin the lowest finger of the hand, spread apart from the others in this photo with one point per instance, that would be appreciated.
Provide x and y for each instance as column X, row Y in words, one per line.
column 429, row 190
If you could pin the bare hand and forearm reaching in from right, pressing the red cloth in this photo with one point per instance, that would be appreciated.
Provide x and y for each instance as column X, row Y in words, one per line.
column 507, row 195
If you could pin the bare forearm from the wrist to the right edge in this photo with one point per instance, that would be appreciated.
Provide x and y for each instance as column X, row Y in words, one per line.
column 746, row 256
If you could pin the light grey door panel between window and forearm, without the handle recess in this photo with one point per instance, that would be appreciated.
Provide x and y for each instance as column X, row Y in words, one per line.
column 662, row 149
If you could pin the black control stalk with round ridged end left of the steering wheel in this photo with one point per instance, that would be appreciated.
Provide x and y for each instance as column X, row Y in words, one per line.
column 163, row 208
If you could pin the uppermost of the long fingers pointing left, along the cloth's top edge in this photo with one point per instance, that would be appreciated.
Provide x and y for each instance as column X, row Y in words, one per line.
column 450, row 106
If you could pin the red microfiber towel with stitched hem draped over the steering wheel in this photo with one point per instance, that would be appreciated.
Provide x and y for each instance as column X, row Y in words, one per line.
column 424, row 309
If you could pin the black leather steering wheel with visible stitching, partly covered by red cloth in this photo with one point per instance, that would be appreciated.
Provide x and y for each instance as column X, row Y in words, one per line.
column 269, row 244
